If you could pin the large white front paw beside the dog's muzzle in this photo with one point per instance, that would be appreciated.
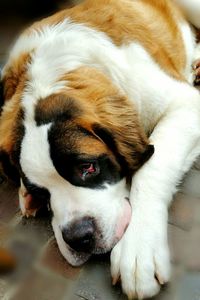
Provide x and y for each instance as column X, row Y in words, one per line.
column 141, row 261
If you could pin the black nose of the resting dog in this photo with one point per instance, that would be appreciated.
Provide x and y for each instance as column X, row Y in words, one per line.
column 80, row 235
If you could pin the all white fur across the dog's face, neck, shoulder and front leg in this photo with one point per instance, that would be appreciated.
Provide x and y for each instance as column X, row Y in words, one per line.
column 168, row 107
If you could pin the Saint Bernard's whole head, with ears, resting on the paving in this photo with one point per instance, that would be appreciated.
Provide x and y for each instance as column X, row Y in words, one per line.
column 78, row 146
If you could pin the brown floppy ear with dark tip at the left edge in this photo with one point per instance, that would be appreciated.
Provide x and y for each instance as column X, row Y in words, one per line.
column 11, row 130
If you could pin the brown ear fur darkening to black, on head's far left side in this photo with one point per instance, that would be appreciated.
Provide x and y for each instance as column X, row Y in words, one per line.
column 11, row 123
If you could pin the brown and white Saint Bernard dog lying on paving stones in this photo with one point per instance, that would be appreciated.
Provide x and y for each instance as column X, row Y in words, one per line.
column 100, row 118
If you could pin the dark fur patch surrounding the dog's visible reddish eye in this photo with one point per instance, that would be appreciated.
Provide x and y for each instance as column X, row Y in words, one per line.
column 66, row 158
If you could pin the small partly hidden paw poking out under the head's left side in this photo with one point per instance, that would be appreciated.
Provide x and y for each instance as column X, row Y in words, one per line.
column 29, row 207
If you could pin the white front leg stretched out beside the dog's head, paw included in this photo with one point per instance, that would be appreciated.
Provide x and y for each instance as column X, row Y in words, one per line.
column 141, row 257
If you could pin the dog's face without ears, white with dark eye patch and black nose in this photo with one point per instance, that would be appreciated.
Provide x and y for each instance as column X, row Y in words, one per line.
column 86, row 186
